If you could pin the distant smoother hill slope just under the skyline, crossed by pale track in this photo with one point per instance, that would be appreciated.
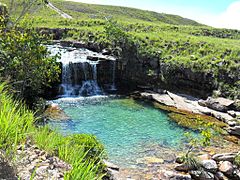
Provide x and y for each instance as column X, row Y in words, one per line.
column 87, row 11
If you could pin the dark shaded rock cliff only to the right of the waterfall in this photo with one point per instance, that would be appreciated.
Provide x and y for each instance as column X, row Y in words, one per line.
column 144, row 71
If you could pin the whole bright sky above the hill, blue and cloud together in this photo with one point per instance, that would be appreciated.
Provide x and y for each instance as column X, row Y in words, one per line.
column 216, row 13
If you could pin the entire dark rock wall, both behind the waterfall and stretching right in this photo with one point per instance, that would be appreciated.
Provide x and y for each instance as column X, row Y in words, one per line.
column 134, row 71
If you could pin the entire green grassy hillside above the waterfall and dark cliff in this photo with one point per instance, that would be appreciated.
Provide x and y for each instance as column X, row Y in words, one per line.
column 169, row 39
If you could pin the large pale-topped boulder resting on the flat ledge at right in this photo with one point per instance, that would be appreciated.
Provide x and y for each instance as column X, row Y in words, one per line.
column 219, row 104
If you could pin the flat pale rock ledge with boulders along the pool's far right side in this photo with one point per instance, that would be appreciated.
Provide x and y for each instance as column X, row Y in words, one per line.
column 222, row 109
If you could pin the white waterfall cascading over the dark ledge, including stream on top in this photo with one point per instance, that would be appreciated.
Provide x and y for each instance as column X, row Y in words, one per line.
column 79, row 74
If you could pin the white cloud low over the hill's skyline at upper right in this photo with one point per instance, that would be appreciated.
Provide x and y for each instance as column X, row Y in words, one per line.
column 230, row 18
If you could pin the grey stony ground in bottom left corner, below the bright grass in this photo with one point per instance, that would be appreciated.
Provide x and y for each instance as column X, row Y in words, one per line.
column 33, row 163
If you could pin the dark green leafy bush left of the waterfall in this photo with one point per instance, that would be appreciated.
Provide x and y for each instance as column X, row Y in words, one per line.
column 25, row 62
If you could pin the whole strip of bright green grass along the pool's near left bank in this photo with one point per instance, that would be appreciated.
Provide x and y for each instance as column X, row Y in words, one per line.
column 83, row 152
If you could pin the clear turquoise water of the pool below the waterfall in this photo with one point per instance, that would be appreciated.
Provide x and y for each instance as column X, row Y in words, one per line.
column 129, row 129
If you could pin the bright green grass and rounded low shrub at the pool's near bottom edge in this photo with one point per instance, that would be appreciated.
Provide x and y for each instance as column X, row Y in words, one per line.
column 82, row 151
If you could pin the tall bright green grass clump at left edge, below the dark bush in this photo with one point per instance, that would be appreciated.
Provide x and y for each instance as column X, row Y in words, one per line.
column 15, row 121
